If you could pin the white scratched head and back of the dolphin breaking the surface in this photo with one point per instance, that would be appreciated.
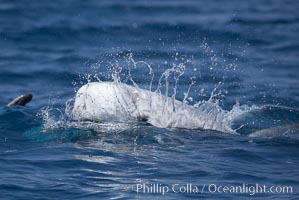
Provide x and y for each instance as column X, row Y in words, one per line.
column 110, row 101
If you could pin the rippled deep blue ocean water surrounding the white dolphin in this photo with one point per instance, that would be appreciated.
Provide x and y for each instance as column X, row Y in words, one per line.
column 241, row 57
